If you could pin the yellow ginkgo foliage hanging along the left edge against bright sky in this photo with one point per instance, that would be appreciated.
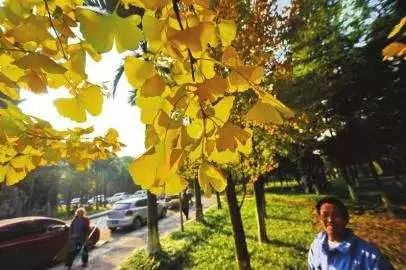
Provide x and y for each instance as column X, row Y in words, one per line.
column 35, row 55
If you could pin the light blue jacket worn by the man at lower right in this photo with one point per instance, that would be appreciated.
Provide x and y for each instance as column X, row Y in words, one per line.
column 352, row 254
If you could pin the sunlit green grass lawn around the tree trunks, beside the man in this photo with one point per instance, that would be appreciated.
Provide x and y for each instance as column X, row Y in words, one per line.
column 211, row 245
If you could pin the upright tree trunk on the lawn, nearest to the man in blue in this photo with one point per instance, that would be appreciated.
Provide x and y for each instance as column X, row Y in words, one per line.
column 260, row 207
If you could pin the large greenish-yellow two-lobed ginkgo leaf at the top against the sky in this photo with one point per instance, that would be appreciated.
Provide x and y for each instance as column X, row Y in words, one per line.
column 100, row 30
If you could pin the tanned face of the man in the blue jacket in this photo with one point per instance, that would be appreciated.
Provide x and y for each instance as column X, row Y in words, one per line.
column 333, row 221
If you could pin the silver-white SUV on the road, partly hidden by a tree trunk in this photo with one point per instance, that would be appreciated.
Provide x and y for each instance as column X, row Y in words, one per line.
column 131, row 213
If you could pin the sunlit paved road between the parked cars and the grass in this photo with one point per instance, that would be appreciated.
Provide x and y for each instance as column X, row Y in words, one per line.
column 115, row 247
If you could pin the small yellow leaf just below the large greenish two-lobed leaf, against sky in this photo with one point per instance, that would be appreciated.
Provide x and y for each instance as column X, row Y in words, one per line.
column 138, row 71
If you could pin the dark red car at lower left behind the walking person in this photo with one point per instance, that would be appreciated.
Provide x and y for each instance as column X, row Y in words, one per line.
column 34, row 242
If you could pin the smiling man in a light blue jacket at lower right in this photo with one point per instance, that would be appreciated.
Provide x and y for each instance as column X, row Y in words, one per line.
column 337, row 247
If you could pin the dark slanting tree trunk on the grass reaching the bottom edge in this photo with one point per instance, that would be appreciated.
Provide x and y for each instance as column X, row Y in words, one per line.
column 243, row 258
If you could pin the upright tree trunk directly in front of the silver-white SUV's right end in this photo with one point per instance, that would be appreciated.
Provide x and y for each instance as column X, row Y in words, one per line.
column 153, row 245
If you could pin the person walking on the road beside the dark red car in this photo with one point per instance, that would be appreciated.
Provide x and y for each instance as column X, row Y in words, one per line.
column 79, row 232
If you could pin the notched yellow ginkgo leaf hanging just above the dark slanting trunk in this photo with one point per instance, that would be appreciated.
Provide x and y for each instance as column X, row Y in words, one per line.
column 210, row 177
